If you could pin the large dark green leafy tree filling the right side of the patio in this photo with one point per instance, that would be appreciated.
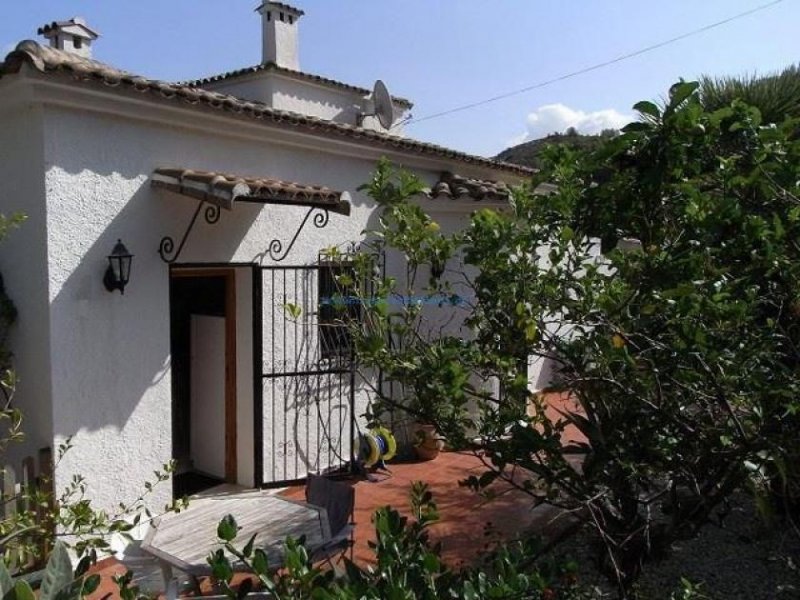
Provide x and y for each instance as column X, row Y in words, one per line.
column 662, row 276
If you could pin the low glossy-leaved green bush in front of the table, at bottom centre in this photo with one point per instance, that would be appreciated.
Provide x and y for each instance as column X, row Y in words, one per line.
column 406, row 567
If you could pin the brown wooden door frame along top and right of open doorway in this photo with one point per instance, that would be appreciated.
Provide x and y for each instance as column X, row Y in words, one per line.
column 229, row 274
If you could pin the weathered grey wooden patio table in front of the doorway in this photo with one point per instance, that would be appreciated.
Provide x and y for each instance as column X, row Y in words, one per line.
column 185, row 540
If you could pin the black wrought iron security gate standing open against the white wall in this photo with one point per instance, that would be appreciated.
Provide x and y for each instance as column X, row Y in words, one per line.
column 309, row 385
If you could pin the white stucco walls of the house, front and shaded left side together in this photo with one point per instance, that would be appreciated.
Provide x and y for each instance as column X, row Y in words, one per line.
column 80, row 168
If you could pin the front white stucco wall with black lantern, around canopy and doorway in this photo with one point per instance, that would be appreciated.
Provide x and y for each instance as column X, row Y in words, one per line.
column 111, row 352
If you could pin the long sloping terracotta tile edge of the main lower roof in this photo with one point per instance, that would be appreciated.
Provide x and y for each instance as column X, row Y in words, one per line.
column 51, row 61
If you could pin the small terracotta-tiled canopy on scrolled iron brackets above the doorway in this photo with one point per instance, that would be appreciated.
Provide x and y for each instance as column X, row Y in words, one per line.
column 224, row 189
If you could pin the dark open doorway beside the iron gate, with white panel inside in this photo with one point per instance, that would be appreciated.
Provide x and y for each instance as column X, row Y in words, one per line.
column 203, row 347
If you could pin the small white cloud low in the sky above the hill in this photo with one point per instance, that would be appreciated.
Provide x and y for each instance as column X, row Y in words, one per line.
column 557, row 118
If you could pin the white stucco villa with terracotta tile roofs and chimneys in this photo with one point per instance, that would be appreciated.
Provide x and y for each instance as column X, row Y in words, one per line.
column 224, row 191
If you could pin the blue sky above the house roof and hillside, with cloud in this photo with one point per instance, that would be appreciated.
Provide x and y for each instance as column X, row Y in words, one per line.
column 446, row 53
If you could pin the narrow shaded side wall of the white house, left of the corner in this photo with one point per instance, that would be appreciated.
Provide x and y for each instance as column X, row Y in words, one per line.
column 23, row 265
